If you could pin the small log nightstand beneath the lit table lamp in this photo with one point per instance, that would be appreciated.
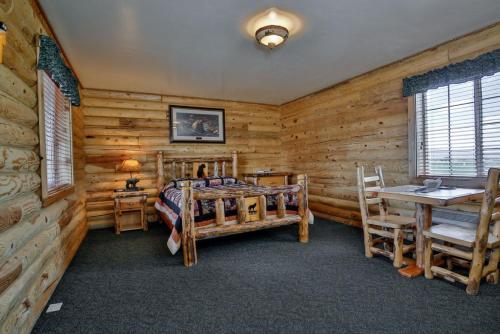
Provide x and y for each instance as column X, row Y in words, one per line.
column 130, row 210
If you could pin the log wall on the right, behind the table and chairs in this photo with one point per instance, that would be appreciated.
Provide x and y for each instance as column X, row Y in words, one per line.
column 363, row 121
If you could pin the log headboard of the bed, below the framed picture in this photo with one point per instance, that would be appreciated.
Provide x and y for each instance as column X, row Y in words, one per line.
column 174, row 167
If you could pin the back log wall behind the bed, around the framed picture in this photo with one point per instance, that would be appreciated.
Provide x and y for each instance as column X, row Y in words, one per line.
column 121, row 125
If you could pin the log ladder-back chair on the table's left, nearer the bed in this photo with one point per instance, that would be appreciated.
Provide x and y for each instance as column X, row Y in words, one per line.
column 391, row 230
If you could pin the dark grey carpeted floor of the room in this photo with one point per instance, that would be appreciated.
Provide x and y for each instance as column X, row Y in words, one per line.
column 260, row 282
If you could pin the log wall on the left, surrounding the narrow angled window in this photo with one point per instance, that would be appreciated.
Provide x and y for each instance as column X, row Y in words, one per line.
column 36, row 244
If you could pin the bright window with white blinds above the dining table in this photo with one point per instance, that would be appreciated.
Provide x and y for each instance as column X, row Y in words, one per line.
column 458, row 128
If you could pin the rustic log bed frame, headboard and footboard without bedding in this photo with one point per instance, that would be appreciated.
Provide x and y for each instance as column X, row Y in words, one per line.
column 190, row 233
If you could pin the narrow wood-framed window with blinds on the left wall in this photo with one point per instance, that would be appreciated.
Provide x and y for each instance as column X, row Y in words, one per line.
column 56, row 144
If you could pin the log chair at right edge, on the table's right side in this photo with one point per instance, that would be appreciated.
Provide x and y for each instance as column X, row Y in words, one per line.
column 468, row 245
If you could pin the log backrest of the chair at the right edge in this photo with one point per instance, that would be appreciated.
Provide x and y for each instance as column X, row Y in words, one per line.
column 487, row 214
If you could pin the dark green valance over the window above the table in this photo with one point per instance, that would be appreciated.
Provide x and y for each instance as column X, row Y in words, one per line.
column 486, row 64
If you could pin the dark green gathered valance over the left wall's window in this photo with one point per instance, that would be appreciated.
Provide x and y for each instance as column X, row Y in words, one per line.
column 50, row 60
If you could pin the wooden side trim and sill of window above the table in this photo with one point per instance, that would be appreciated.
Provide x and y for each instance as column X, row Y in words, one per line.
column 458, row 181
